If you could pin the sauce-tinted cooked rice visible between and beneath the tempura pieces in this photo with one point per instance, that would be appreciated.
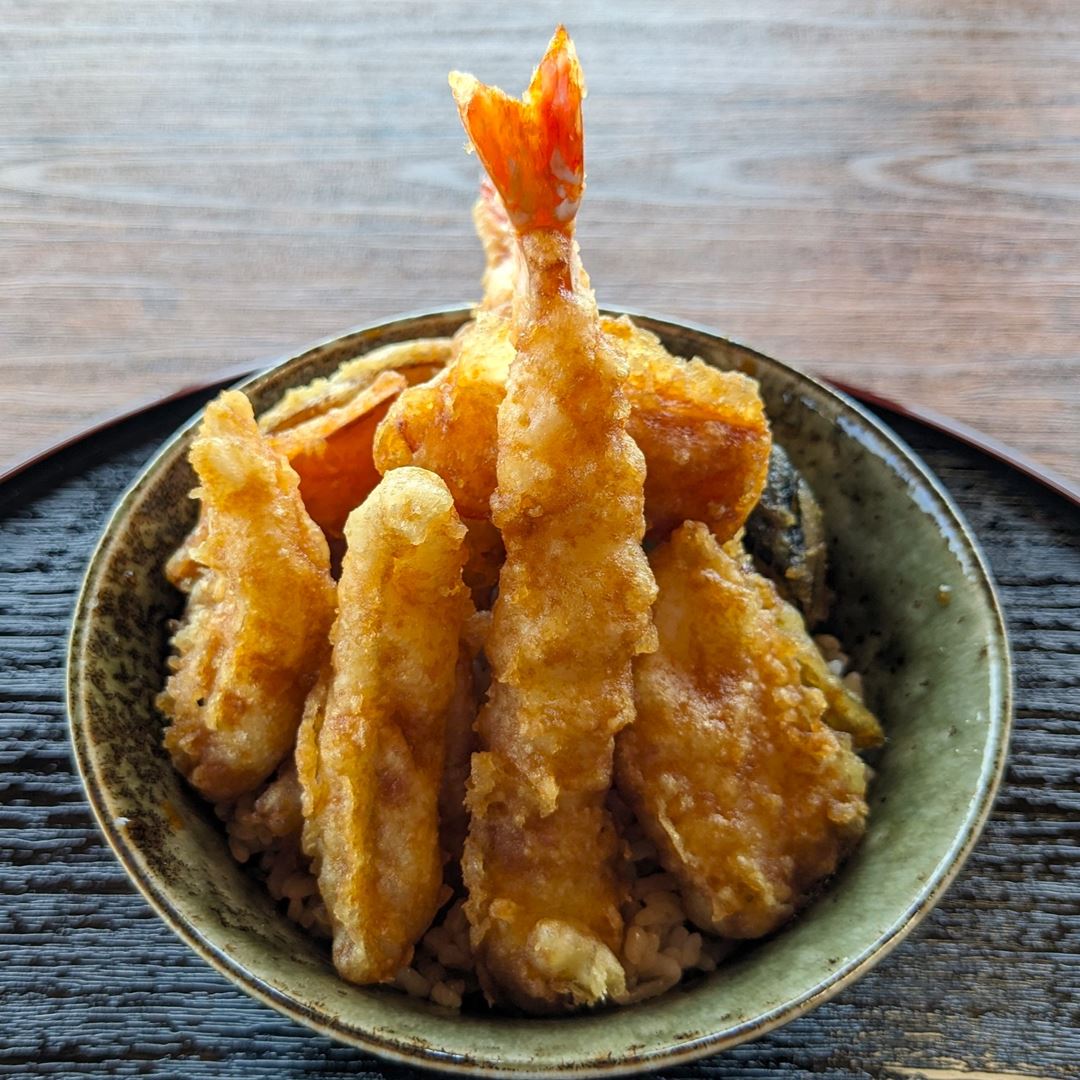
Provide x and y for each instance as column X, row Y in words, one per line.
column 660, row 946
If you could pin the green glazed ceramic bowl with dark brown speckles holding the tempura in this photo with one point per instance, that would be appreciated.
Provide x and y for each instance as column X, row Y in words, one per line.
column 938, row 674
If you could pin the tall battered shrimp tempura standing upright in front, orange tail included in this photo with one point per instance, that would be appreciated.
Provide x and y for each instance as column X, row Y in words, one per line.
column 575, row 591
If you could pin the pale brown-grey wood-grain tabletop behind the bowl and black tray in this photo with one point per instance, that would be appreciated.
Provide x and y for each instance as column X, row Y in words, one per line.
column 887, row 192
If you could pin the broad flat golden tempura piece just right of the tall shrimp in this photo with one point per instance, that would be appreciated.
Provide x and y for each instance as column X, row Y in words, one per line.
column 751, row 799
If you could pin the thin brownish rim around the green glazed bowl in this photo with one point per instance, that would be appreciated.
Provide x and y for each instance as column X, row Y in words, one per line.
column 645, row 1059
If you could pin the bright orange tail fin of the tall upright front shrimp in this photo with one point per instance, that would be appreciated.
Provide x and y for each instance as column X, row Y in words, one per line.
column 534, row 148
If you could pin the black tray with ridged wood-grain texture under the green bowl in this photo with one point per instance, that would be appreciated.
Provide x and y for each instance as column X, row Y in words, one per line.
column 94, row 985
